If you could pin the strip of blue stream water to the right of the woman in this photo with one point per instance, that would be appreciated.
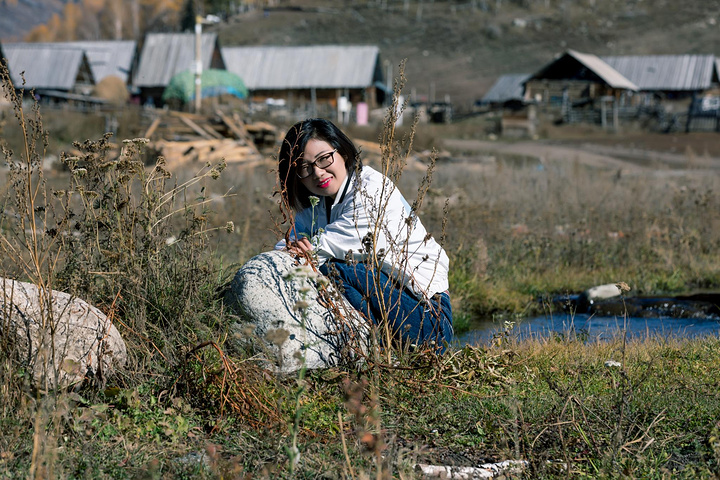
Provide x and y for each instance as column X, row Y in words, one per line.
column 593, row 328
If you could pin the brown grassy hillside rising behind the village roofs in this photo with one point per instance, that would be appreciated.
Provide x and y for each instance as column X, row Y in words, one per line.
column 462, row 49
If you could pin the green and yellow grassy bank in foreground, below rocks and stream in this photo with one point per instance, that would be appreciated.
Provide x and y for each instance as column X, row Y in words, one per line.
column 557, row 403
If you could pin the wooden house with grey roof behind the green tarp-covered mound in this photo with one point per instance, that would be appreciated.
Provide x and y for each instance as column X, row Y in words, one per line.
column 166, row 54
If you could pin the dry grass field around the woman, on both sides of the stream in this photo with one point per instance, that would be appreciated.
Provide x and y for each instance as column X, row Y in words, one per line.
column 191, row 404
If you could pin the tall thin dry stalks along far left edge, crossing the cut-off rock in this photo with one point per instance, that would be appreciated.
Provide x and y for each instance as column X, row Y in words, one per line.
column 30, row 255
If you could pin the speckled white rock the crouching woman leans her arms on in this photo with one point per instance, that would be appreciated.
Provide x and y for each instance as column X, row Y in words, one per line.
column 289, row 319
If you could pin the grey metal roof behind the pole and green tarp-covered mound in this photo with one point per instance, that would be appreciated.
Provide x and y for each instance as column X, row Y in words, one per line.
column 165, row 54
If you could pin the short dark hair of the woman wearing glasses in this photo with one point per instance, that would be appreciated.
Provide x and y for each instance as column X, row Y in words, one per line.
column 291, row 151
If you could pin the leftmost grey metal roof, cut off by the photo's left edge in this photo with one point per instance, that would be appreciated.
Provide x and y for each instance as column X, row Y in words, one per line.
column 46, row 66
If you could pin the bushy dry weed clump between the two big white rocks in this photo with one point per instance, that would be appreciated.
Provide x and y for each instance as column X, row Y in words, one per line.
column 139, row 242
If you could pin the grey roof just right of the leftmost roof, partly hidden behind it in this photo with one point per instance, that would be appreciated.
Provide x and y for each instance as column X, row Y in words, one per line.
column 108, row 57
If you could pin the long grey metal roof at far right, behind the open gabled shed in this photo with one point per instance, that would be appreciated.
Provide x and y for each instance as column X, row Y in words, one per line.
column 666, row 72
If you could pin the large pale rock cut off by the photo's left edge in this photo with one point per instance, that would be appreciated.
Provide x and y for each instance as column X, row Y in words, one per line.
column 59, row 339
